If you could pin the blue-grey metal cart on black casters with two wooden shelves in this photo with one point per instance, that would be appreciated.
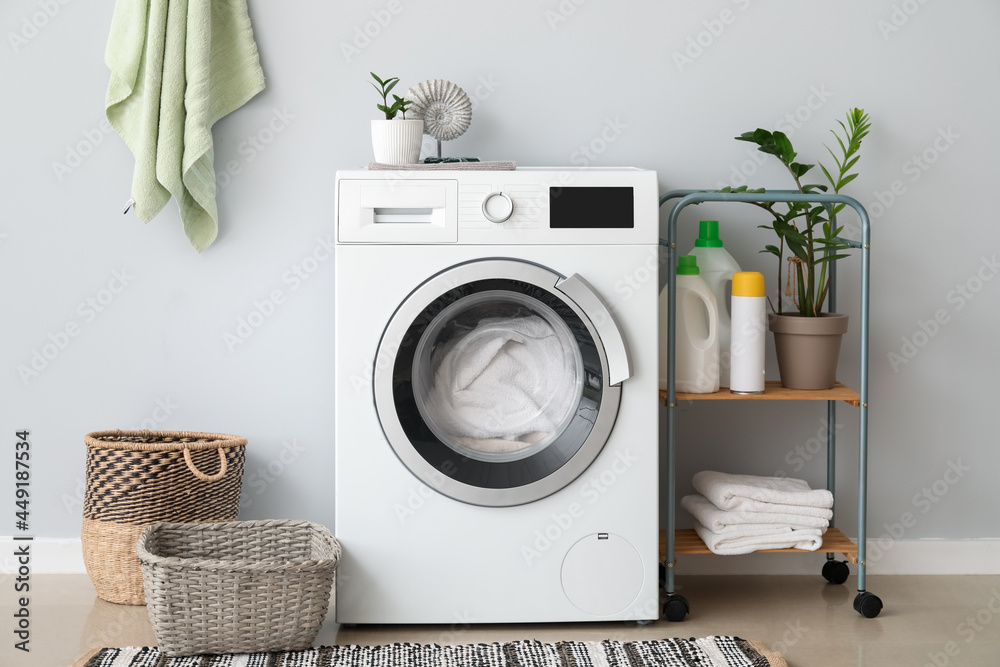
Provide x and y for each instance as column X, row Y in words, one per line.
column 675, row 542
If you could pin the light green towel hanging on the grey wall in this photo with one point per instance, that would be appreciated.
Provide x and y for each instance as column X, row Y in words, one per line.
column 178, row 66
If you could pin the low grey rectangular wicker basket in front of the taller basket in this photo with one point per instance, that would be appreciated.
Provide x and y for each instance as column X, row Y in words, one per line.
column 239, row 587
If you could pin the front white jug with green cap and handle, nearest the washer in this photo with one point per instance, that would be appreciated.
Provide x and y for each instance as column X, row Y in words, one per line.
column 697, row 357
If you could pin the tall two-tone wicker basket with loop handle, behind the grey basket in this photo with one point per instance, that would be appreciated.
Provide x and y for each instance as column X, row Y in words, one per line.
column 135, row 478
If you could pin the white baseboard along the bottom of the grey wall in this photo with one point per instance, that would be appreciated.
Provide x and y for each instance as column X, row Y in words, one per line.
column 64, row 556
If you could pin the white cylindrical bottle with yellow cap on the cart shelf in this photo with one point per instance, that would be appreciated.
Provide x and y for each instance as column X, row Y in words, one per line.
column 749, row 331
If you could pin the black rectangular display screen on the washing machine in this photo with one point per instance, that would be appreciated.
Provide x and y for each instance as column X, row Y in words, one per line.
column 591, row 208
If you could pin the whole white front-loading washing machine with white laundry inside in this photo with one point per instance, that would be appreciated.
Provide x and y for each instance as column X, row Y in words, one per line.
column 496, row 396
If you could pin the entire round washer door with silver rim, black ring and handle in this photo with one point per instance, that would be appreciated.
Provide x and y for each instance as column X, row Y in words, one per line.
column 497, row 382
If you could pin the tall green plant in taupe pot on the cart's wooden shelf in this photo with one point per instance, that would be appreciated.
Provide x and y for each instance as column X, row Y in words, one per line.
column 807, row 341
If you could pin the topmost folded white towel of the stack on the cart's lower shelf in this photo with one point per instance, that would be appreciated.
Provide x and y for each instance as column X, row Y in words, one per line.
column 749, row 493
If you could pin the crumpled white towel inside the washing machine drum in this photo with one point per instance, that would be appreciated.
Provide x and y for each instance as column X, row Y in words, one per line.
column 506, row 383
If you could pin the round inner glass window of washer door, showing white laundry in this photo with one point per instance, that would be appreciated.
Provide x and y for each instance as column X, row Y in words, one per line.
column 497, row 376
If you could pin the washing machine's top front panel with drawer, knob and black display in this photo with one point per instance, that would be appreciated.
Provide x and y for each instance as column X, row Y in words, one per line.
column 529, row 205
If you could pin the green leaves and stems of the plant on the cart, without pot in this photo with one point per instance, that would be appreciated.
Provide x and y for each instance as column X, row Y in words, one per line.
column 815, row 243
